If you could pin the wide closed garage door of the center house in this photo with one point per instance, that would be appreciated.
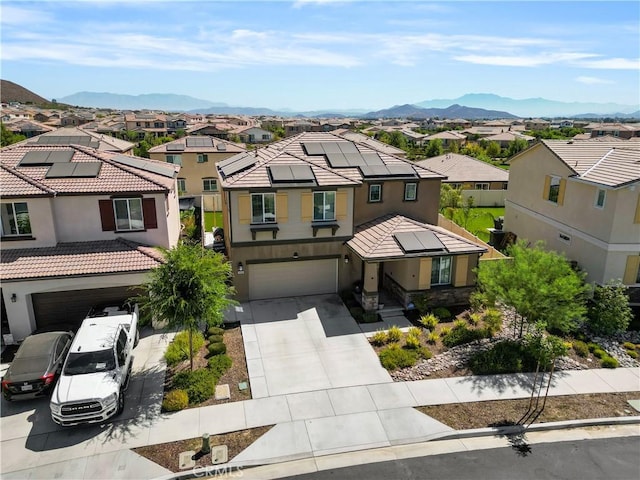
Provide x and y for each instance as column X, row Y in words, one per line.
column 291, row 279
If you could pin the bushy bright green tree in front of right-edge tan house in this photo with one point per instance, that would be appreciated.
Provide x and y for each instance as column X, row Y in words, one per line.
column 539, row 285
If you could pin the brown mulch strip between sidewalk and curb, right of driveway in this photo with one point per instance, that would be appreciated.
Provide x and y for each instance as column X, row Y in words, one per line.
column 463, row 416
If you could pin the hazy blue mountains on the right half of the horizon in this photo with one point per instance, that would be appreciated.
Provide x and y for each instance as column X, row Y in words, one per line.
column 533, row 107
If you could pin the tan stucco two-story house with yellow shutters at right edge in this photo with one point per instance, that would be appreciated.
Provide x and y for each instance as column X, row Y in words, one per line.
column 583, row 199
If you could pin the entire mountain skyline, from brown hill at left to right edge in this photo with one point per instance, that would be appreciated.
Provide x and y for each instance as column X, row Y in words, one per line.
column 470, row 106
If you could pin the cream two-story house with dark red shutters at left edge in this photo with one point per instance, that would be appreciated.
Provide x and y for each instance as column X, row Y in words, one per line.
column 79, row 227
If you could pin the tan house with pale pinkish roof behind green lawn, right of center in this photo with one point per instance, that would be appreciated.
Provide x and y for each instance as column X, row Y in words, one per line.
column 484, row 182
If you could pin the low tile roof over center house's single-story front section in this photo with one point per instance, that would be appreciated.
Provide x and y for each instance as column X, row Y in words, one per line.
column 375, row 240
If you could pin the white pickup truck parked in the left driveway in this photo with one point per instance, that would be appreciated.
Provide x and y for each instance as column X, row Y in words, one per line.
column 96, row 372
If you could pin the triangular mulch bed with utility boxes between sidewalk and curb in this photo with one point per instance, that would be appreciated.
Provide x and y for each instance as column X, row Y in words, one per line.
column 167, row 455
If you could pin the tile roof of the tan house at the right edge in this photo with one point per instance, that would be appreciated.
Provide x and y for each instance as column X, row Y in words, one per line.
column 612, row 164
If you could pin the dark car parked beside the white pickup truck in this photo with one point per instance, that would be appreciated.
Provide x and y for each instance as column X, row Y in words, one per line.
column 36, row 365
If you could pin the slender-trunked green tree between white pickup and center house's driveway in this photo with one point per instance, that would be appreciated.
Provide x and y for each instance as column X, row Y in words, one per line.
column 190, row 287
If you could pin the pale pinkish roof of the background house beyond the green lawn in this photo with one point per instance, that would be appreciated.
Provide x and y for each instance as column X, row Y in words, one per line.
column 462, row 168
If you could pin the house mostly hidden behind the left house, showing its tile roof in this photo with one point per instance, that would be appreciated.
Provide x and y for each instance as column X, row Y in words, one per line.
column 88, row 138
